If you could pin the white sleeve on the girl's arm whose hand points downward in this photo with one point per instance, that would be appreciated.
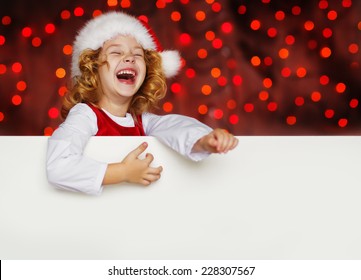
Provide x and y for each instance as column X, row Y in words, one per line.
column 177, row 131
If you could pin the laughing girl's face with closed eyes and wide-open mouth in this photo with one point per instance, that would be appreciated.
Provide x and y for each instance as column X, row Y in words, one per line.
column 124, row 72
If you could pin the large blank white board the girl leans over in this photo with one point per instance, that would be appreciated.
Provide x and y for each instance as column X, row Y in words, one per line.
column 271, row 198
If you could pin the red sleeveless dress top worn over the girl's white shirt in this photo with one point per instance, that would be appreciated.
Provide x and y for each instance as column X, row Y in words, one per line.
column 107, row 127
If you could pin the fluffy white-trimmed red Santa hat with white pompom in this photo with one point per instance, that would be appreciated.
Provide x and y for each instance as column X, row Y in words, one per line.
column 108, row 25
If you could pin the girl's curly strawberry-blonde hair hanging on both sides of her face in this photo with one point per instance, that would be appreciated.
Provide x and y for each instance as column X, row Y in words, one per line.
column 85, row 88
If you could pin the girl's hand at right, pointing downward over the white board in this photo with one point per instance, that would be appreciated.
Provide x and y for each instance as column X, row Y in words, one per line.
column 218, row 141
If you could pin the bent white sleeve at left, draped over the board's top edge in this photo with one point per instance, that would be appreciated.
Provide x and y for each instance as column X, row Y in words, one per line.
column 67, row 167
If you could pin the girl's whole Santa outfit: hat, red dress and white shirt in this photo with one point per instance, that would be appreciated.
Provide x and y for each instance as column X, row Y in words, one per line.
column 67, row 167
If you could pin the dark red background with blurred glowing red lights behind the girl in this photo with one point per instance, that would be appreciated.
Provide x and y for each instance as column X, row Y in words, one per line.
column 256, row 67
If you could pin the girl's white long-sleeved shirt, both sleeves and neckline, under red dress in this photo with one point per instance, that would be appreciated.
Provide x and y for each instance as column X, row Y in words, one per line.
column 69, row 169
